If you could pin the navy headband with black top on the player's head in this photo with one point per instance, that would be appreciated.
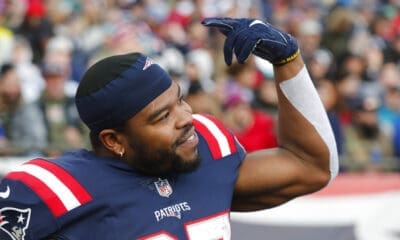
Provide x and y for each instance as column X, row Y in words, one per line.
column 116, row 88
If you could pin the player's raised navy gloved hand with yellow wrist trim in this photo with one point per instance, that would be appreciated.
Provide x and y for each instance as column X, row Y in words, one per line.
column 246, row 36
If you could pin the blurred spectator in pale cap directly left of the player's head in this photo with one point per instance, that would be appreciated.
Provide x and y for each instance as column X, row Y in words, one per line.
column 64, row 128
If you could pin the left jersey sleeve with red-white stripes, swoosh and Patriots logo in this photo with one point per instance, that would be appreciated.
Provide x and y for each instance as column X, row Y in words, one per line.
column 36, row 195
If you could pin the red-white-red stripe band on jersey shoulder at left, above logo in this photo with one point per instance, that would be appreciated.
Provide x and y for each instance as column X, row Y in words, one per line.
column 58, row 189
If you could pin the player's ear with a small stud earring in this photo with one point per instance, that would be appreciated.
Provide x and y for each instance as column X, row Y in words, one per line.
column 113, row 141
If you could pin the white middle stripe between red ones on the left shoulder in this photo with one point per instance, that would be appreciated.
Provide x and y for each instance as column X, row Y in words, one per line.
column 50, row 180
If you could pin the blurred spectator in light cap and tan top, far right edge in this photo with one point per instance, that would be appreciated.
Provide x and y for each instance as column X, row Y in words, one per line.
column 366, row 147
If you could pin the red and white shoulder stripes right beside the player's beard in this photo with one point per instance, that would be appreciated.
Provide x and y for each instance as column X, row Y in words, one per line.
column 219, row 139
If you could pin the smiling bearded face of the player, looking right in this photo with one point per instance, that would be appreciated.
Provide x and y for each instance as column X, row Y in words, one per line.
column 160, row 139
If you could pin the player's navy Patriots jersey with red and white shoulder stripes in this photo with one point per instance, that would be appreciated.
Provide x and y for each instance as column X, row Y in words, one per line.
column 81, row 196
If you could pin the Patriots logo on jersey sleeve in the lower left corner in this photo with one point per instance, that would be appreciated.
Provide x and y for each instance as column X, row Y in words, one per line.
column 13, row 223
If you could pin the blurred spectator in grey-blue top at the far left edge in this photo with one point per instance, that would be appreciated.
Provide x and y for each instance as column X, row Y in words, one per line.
column 23, row 128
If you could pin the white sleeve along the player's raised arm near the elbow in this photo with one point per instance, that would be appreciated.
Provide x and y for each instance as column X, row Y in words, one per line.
column 301, row 92
